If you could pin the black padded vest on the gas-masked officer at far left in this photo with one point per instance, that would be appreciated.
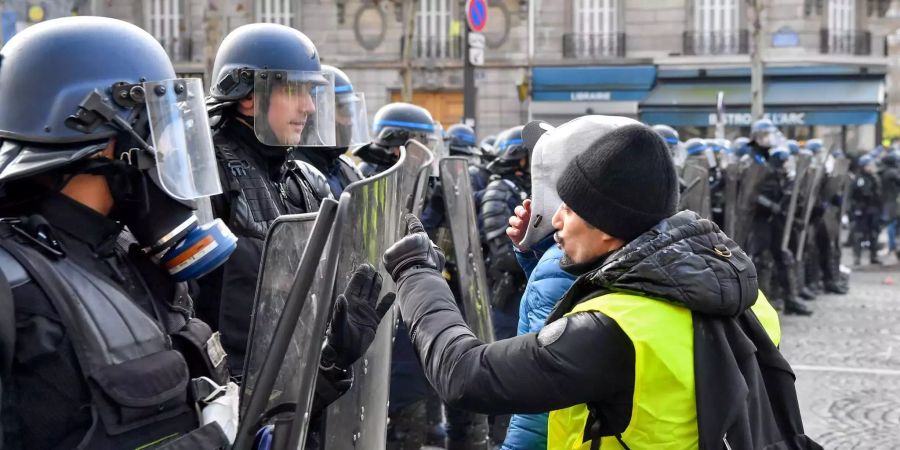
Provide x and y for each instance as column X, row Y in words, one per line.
column 139, row 384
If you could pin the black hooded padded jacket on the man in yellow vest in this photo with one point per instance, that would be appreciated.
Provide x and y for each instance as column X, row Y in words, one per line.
column 587, row 358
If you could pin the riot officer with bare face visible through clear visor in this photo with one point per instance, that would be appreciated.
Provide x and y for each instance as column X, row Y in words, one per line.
column 271, row 96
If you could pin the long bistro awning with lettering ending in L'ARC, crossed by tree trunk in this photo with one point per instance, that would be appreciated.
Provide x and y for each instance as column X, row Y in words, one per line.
column 787, row 102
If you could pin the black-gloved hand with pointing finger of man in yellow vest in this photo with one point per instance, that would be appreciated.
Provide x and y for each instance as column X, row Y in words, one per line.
column 415, row 251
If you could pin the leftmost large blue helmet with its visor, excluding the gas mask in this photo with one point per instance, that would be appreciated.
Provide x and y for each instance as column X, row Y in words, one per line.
column 69, row 85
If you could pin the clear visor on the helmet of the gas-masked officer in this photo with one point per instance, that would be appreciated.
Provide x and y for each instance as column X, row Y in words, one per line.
column 181, row 139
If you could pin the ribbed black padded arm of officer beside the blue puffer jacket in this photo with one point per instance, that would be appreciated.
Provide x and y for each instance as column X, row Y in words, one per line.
column 505, row 277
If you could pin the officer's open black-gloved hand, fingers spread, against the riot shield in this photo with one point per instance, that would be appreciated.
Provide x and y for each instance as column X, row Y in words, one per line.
column 355, row 318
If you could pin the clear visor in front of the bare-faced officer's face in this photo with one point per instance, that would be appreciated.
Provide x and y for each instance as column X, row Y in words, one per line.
column 292, row 108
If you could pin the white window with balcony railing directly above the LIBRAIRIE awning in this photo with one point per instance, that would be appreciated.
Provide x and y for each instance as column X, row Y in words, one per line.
column 595, row 26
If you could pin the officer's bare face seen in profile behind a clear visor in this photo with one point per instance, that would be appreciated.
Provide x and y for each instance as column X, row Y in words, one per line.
column 290, row 105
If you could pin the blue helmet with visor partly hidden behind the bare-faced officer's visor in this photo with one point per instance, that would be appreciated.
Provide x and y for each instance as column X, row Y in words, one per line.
column 350, row 118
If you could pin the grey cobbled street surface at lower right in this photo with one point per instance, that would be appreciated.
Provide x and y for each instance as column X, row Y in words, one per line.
column 847, row 361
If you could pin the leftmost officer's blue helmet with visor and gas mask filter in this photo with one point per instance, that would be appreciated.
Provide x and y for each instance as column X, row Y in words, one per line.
column 73, row 87
